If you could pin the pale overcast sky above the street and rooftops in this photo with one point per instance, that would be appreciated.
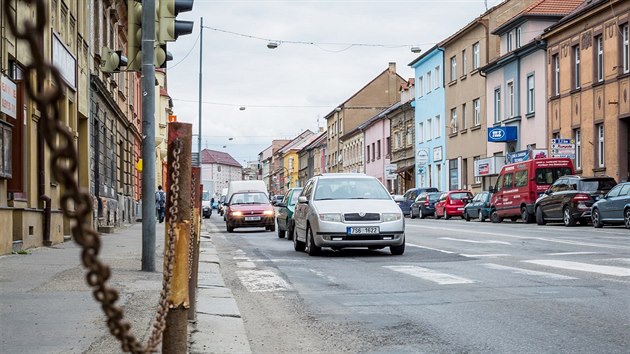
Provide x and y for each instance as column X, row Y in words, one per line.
column 286, row 90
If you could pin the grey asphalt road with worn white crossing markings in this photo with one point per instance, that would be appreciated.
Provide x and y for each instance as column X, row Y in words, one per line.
column 460, row 287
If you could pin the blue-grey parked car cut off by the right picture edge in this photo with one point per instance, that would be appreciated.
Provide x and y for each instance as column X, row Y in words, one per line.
column 613, row 208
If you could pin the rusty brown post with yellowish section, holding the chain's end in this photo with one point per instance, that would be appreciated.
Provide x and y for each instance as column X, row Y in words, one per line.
column 175, row 337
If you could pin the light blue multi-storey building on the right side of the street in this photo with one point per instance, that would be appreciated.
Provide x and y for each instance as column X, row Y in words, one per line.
column 430, row 137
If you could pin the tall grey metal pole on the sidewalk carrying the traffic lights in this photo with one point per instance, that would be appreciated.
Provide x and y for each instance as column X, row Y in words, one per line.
column 148, row 133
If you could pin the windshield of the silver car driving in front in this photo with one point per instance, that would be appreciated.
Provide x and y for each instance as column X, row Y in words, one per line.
column 350, row 188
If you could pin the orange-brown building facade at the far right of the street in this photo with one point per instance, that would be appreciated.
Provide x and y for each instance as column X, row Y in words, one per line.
column 588, row 75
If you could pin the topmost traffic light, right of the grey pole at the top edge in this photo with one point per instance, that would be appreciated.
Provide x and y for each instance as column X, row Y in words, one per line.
column 169, row 27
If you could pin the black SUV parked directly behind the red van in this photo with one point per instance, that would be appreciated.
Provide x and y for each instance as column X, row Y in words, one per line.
column 569, row 199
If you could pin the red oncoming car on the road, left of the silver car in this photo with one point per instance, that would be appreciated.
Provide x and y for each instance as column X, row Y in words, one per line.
column 249, row 209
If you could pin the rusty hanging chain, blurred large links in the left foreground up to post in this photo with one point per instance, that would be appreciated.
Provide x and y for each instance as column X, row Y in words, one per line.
column 76, row 204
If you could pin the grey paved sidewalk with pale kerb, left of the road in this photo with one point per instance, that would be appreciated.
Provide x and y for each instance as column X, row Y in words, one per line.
column 46, row 306
